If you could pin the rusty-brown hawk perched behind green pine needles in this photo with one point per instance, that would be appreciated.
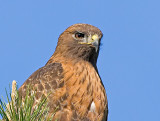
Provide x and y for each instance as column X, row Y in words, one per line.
column 71, row 77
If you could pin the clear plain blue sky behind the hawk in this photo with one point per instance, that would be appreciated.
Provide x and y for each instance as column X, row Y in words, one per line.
column 129, row 60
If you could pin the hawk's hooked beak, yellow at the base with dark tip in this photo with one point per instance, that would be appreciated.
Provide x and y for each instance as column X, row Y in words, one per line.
column 92, row 40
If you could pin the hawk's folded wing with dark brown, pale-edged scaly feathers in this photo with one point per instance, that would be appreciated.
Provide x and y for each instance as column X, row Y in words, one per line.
column 45, row 80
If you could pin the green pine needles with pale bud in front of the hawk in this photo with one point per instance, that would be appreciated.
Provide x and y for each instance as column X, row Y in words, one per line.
column 17, row 109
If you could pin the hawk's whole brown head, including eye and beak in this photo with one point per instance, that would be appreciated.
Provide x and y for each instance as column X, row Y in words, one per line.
column 80, row 41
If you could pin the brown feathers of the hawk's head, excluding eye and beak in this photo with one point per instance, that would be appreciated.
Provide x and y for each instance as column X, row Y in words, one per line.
column 69, row 47
